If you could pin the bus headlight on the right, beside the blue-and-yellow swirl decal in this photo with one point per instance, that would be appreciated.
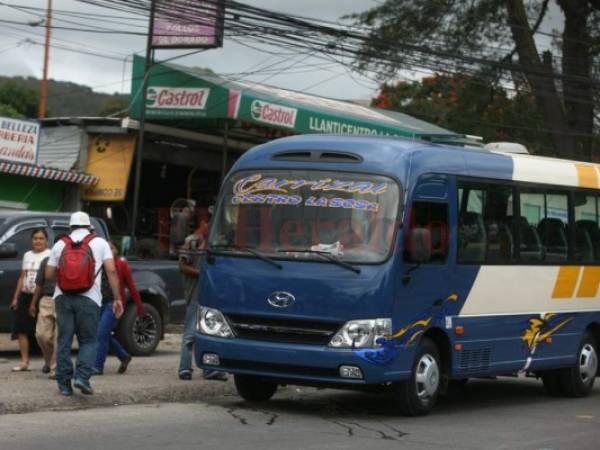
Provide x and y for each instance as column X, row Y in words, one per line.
column 361, row 333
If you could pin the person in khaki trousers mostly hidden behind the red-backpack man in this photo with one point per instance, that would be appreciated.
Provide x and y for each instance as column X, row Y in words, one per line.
column 42, row 307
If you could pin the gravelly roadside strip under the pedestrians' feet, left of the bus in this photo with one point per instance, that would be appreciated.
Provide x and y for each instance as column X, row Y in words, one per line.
column 147, row 380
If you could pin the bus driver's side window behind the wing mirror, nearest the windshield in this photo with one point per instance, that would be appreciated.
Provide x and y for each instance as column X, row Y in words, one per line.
column 433, row 217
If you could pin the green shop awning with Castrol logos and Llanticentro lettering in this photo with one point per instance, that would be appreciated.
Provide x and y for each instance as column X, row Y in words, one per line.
column 177, row 92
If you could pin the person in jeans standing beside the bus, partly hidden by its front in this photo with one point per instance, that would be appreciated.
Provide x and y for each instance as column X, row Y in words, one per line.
column 190, row 265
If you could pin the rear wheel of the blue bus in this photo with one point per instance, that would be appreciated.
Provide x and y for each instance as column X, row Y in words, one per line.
column 578, row 380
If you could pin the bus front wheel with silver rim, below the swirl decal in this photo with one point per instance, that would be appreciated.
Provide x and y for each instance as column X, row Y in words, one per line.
column 417, row 395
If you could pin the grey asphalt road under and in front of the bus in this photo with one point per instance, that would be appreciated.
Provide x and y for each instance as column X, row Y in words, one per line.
column 505, row 414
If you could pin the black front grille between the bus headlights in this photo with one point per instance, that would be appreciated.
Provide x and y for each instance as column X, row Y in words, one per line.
column 290, row 331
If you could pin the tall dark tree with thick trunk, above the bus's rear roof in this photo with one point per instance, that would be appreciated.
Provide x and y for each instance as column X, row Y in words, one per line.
column 496, row 39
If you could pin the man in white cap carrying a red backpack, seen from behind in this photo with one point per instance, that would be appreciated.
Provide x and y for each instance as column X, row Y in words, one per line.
column 78, row 260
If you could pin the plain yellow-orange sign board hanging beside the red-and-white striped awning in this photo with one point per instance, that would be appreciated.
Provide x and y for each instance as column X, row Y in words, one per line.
column 109, row 159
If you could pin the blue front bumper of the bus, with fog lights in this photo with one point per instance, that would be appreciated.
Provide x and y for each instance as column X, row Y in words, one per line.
column 293, row 362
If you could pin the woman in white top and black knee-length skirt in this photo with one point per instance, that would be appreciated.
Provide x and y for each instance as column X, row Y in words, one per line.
column 24, row 324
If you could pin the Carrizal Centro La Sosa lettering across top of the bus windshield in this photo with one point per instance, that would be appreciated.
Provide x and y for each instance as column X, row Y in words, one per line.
column 254, row 189
